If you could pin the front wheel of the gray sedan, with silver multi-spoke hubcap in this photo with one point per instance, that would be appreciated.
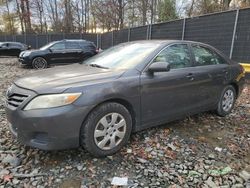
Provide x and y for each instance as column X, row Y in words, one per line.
column 100, row 134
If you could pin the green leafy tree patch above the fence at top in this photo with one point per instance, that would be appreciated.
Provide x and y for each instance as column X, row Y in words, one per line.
column 167, row 10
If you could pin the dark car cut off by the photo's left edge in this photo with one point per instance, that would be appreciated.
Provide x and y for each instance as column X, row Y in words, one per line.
column 12, row 48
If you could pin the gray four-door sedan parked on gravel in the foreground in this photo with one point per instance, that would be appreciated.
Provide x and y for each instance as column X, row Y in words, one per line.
column 127, row 88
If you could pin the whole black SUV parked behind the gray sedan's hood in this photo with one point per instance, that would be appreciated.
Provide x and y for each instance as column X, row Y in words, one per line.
column 59, row 52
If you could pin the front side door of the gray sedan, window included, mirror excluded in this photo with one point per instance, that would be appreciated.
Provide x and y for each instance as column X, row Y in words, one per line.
column 167, row 95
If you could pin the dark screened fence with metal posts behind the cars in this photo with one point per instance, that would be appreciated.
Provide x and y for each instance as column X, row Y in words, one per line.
column 228, row 31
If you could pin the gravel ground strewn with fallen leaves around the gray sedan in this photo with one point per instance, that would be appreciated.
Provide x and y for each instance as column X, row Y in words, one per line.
column 200, row 151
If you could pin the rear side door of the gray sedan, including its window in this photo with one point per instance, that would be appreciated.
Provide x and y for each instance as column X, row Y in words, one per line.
column 212, row 70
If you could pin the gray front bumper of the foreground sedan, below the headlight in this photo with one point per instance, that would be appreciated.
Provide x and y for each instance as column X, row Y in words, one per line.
column 47, row 129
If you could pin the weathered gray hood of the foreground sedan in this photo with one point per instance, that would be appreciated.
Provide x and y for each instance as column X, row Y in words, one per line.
column 55, row 80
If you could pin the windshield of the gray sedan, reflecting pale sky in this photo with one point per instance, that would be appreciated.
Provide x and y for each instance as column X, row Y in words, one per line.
column 123, row 56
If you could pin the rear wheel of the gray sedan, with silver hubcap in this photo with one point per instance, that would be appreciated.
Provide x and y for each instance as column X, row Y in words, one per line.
column 227, row 100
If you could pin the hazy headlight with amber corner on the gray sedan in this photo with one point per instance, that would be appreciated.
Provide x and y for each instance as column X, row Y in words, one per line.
column 53, row 100
